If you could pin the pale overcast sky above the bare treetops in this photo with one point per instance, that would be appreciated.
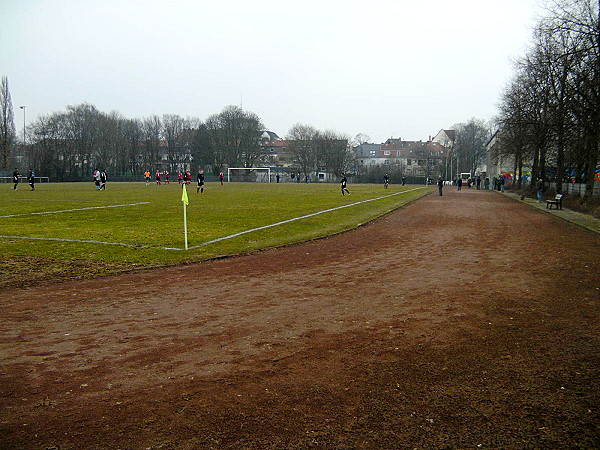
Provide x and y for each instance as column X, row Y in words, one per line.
column 383, row 68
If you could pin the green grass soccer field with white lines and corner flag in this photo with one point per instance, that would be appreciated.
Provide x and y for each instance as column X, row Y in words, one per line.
column 143, row 224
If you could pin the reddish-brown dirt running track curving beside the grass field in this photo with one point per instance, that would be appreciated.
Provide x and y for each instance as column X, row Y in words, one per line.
column 463, row 321
